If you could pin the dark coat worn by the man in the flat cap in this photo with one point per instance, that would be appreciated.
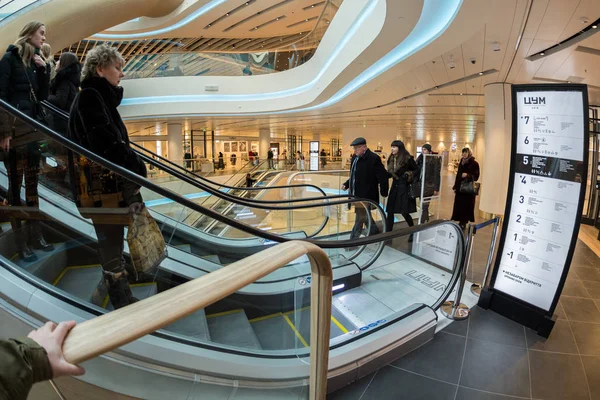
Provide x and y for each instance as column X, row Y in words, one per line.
column 368, row 177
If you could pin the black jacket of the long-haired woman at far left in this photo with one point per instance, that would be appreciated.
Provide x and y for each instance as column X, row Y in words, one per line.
column 15, row 87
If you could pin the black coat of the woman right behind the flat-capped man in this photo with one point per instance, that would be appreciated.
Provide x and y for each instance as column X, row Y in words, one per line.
column 402, row 173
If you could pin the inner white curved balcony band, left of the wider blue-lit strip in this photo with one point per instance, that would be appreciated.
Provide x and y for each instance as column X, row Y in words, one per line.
column 359, row 23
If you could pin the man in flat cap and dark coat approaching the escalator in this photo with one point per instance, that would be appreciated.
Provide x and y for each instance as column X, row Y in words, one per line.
column 368, row 179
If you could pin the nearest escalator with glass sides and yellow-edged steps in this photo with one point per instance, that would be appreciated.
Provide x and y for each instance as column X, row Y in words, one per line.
column 254, row 342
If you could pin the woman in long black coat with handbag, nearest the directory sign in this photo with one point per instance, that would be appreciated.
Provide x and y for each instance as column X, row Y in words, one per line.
column 464, row 187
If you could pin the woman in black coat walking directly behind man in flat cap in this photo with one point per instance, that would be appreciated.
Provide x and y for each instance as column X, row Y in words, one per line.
column 401, row 167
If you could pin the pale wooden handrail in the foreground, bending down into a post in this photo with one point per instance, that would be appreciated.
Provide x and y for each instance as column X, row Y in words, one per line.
column 109, row 331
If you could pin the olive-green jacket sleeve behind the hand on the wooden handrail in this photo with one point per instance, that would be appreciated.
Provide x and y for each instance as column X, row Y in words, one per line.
column 23, row 362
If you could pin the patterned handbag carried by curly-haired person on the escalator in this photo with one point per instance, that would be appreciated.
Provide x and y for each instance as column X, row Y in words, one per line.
column 147, row 246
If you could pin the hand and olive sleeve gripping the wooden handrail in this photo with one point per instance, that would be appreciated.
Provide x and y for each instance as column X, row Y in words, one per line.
column 38, row 357
